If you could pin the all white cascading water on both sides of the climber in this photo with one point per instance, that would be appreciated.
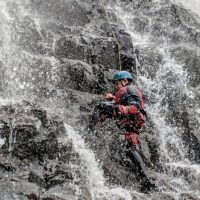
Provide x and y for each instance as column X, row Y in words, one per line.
column 27, row 74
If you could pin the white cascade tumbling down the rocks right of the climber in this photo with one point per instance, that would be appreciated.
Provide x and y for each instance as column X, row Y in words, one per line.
column 169, row 79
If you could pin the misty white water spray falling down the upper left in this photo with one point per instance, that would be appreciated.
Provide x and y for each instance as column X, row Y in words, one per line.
column 27, row 73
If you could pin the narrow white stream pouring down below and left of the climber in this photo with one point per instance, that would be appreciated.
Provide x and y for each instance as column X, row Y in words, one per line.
column 96, row 181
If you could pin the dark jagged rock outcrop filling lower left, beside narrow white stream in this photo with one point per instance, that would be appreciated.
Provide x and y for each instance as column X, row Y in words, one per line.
column 37, row 153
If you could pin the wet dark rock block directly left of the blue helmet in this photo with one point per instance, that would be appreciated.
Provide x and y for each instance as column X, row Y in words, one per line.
column 83, row 77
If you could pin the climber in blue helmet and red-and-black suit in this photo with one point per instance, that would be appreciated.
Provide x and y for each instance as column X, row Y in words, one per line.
column 127, row 106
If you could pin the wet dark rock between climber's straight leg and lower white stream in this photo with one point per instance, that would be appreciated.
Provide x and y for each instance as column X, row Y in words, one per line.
column 109, row 145
